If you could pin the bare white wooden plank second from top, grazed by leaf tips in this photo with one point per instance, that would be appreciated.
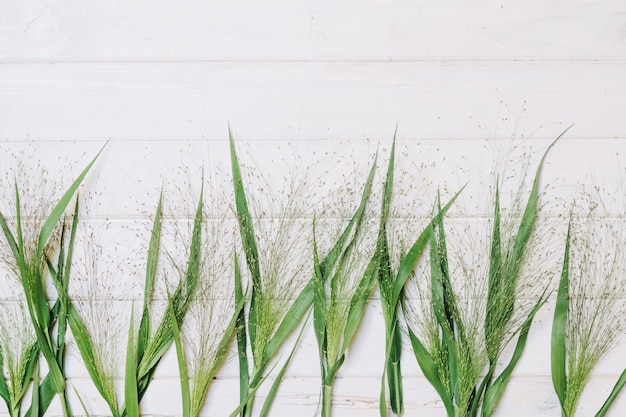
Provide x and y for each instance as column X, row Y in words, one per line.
column 321, row 101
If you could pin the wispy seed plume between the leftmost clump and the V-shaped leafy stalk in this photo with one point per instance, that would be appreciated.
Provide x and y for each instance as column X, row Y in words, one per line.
column 99, row 297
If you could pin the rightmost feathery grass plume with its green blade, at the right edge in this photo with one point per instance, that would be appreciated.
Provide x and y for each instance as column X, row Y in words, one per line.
column 590, row 314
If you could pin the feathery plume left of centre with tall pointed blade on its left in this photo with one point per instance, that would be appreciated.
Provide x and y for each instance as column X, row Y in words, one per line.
column 277, row 253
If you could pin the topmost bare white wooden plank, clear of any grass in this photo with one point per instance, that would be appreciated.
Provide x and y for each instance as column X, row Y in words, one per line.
column 96, row 30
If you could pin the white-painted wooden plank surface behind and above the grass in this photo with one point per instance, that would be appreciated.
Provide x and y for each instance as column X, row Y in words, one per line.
column 161, row 81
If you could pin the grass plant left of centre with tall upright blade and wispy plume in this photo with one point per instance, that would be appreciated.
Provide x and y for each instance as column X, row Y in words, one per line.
column 280, row 286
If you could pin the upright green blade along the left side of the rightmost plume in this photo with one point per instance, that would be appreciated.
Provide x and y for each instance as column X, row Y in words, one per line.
column 558, row 349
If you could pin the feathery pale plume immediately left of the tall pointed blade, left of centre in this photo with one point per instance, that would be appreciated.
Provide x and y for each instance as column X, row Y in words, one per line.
column 203, row 339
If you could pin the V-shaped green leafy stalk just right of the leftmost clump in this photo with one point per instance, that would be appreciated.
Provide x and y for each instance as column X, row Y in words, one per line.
column 144, row 347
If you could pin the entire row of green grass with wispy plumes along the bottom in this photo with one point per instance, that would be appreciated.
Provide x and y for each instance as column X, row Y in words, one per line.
column 458, row 345
